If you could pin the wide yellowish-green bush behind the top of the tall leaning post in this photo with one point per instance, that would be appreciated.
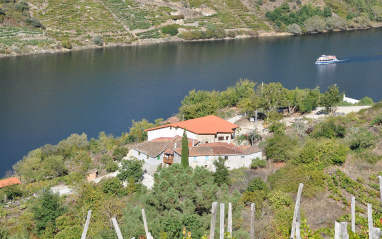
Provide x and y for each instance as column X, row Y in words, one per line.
column 288, row 178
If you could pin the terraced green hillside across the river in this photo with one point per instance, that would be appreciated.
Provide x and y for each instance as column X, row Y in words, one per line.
column 56, row 25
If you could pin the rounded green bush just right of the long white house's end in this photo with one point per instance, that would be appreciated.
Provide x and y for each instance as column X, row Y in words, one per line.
column 279, row 148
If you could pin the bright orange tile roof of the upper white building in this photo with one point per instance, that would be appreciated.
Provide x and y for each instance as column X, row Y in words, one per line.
column 205, row 125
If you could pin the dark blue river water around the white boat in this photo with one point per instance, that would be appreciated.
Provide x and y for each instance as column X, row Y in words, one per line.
column 44, row 98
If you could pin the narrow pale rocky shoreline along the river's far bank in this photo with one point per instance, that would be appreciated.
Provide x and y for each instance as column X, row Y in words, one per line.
column 146, row 42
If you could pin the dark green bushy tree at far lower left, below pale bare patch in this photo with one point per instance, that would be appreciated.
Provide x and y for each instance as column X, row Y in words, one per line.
column 46, row 209
